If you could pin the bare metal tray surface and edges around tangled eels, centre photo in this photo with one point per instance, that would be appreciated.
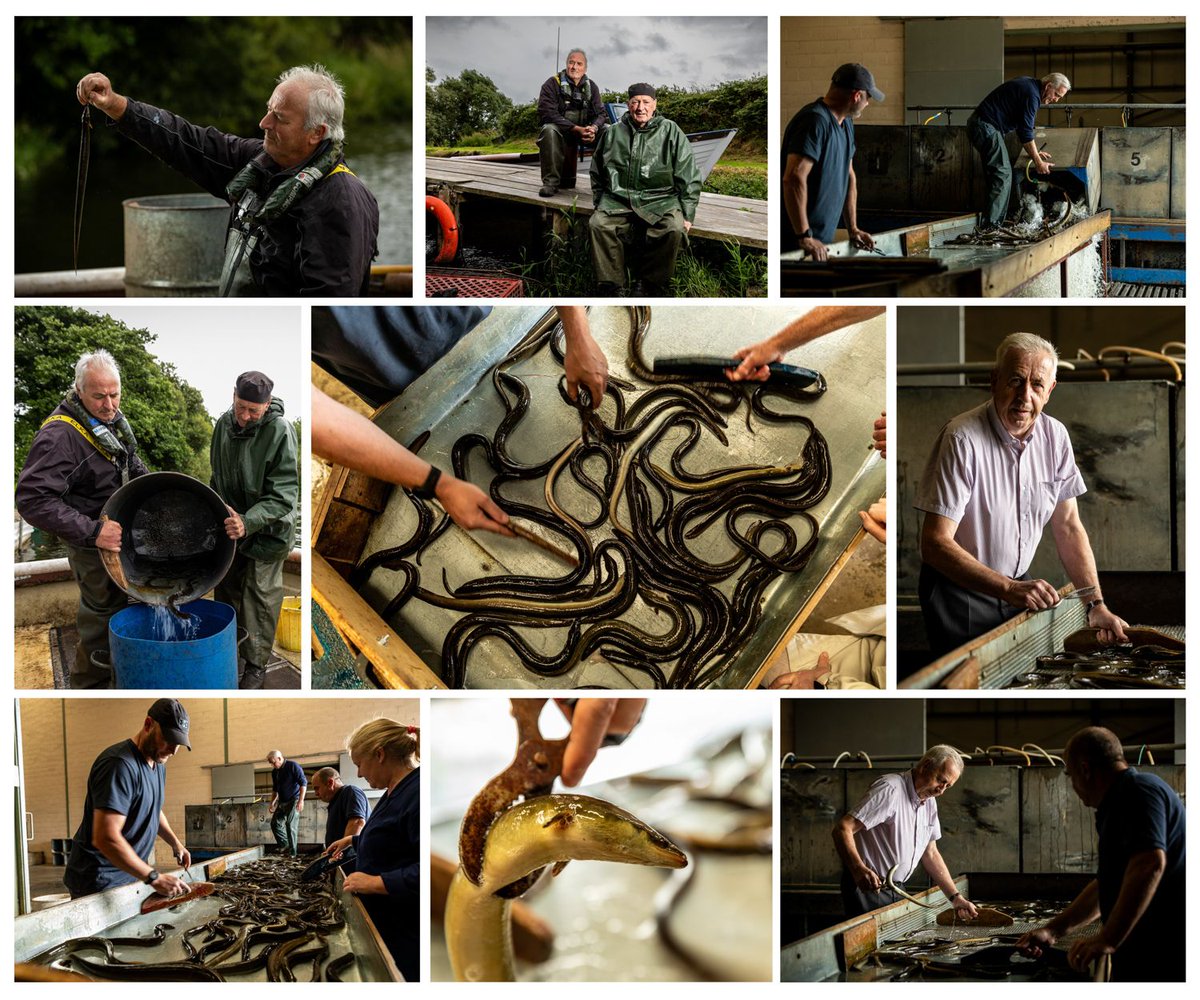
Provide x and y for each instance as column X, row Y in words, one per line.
column 457, row 398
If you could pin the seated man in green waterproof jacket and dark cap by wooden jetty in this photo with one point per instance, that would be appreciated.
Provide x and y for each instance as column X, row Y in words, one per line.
column 646, row 189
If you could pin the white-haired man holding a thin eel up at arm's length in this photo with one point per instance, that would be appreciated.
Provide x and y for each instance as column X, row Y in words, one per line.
column 302, row 224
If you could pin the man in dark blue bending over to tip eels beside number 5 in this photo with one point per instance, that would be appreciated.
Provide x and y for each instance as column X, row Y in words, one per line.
column 1011, row 107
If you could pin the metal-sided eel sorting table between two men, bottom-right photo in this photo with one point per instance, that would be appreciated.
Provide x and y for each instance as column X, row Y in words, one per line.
column 820, row 957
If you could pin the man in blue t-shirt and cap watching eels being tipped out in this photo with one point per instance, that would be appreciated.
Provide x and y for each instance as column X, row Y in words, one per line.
column 820, row 188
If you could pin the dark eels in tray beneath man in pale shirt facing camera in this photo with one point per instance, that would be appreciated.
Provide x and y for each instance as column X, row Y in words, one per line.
column 1151, row 660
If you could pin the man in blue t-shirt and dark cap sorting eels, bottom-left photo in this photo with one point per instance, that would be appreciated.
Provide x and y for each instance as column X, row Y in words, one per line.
column 123, row 813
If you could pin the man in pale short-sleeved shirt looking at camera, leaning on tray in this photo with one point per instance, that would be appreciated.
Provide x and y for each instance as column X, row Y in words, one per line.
column 997, row 477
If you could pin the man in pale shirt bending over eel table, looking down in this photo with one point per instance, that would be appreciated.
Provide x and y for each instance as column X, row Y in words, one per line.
column 893, row 830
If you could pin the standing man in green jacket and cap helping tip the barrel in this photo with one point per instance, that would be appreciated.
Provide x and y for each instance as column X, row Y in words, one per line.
column 255, row 472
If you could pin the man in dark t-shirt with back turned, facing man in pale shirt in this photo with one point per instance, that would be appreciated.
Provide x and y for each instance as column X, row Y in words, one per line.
column 1139, row 891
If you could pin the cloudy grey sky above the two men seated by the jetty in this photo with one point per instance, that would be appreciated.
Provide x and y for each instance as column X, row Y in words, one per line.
column 519, row 52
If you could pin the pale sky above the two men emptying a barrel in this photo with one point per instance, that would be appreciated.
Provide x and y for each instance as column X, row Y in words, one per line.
column 211, row 348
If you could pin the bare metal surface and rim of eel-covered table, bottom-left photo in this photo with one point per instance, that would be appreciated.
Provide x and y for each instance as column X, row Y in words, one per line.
column 116, row 913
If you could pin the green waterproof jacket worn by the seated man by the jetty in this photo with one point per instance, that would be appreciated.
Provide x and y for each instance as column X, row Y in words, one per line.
column 650, row 170
